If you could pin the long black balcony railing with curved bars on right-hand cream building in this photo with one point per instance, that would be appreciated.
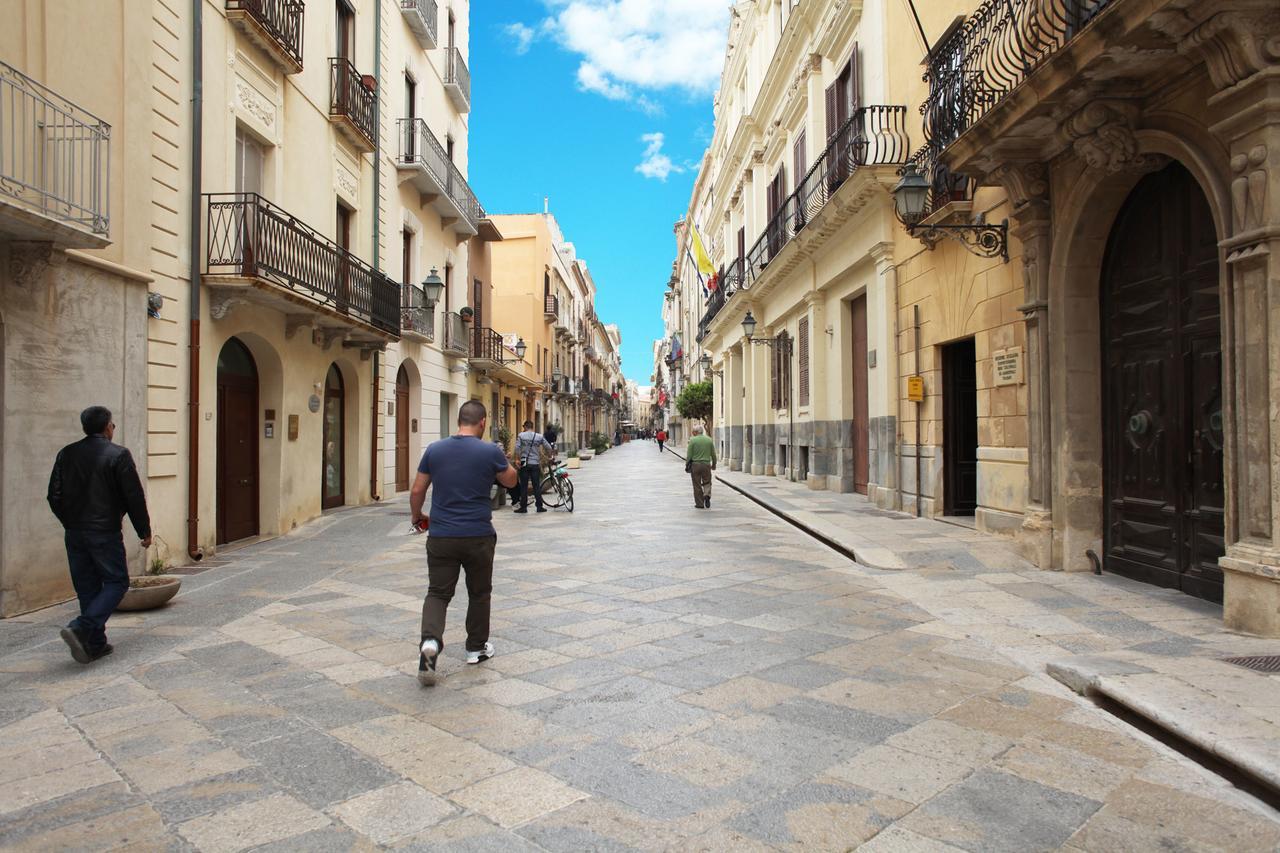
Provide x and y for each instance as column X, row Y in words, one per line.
column 872, row 136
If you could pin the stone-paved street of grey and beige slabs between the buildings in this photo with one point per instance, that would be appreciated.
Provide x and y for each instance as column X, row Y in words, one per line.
column 665, row 678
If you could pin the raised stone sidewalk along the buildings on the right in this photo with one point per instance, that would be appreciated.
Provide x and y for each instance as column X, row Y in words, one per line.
column 1156, row 653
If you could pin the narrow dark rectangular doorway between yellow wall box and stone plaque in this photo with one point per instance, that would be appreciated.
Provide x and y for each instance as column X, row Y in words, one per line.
column 961, row 428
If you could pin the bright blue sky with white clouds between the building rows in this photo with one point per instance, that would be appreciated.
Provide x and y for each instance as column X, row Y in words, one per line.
column 605, row 107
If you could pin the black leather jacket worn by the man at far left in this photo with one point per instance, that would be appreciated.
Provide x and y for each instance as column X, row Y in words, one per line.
column 94, row 485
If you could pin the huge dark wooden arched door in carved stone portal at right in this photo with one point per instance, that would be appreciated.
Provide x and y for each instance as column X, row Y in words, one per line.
column 1163, row 389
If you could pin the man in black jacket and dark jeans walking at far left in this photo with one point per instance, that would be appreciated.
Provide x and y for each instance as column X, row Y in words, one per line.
column 94, row 485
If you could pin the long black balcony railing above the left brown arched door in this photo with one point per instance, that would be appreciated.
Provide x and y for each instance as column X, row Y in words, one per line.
column 250, row 238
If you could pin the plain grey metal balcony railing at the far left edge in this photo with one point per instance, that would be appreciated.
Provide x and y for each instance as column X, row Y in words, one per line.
column 54, row 156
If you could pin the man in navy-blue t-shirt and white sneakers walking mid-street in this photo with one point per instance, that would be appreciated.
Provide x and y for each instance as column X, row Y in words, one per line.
column 463, row 468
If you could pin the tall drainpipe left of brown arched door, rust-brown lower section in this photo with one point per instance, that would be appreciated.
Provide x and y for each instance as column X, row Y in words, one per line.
column 198, row 102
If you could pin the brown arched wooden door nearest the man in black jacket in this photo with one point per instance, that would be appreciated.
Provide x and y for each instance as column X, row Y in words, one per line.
column 237, row 444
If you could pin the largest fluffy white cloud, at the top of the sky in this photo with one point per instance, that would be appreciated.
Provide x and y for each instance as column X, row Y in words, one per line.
column 629, row 47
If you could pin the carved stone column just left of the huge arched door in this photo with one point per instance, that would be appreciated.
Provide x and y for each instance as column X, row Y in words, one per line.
column 1032, row 225
